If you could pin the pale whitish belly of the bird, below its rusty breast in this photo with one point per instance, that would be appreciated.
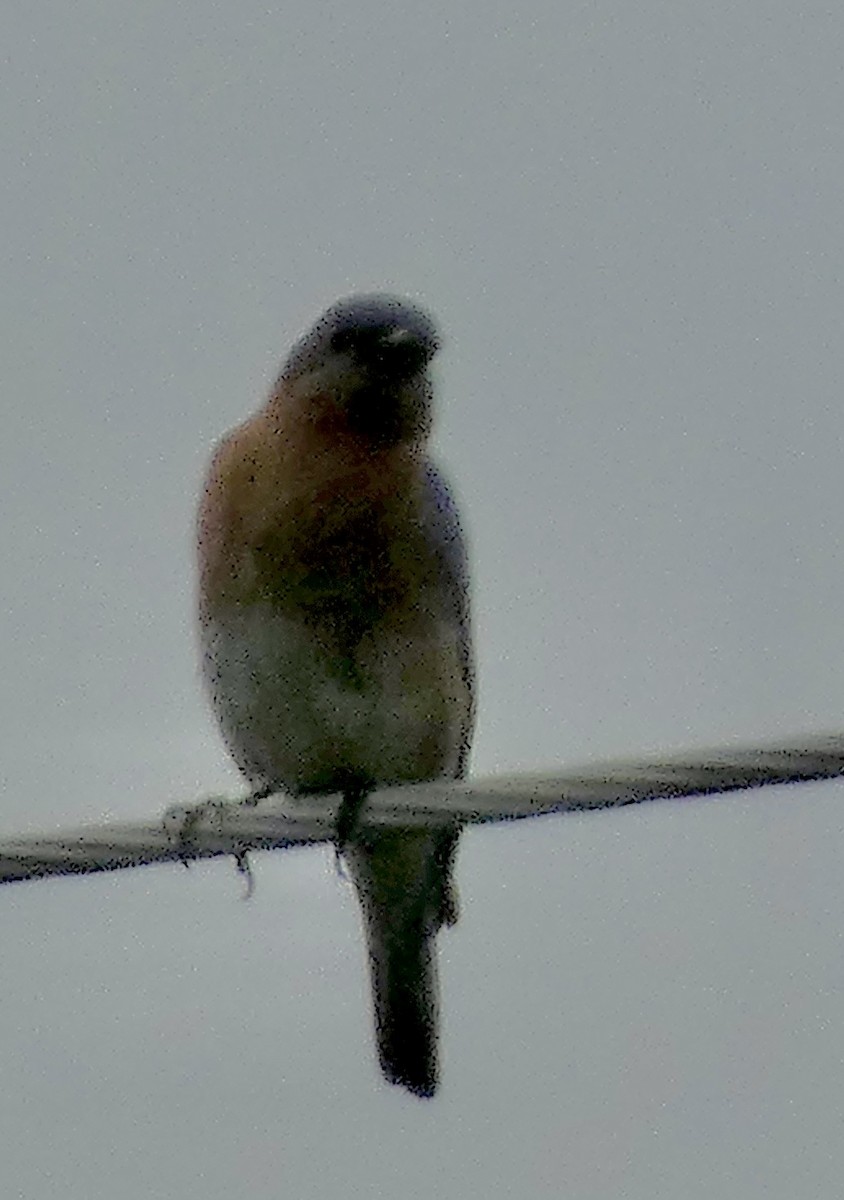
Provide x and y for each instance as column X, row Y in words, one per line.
column 295, row 721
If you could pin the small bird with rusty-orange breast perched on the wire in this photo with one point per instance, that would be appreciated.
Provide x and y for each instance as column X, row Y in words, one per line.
column 336, row 629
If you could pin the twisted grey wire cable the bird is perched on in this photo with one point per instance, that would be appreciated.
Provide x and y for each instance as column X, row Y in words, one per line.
column 229, row 827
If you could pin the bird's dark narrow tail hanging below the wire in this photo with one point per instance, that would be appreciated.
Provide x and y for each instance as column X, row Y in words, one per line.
column 404, row 885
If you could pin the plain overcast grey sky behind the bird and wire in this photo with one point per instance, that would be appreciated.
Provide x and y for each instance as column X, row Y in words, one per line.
column 628, row 221
